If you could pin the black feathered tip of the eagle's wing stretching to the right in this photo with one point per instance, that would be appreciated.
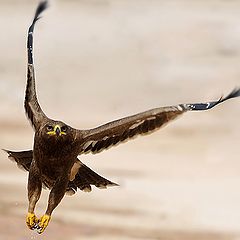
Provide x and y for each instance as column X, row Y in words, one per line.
column 205, row 106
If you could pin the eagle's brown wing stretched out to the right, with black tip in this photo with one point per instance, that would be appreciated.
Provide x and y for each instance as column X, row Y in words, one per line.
column 100, row 138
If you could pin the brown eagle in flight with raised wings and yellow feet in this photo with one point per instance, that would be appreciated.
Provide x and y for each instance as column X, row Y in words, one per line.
column 53, row 162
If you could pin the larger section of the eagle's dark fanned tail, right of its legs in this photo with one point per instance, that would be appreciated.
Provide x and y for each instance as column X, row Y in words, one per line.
column 87, row 177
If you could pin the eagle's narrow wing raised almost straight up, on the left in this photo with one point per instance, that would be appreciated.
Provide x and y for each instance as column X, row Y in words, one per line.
column 32, row 107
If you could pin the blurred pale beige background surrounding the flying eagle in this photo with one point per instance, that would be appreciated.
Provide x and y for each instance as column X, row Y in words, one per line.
column 100, row 60
